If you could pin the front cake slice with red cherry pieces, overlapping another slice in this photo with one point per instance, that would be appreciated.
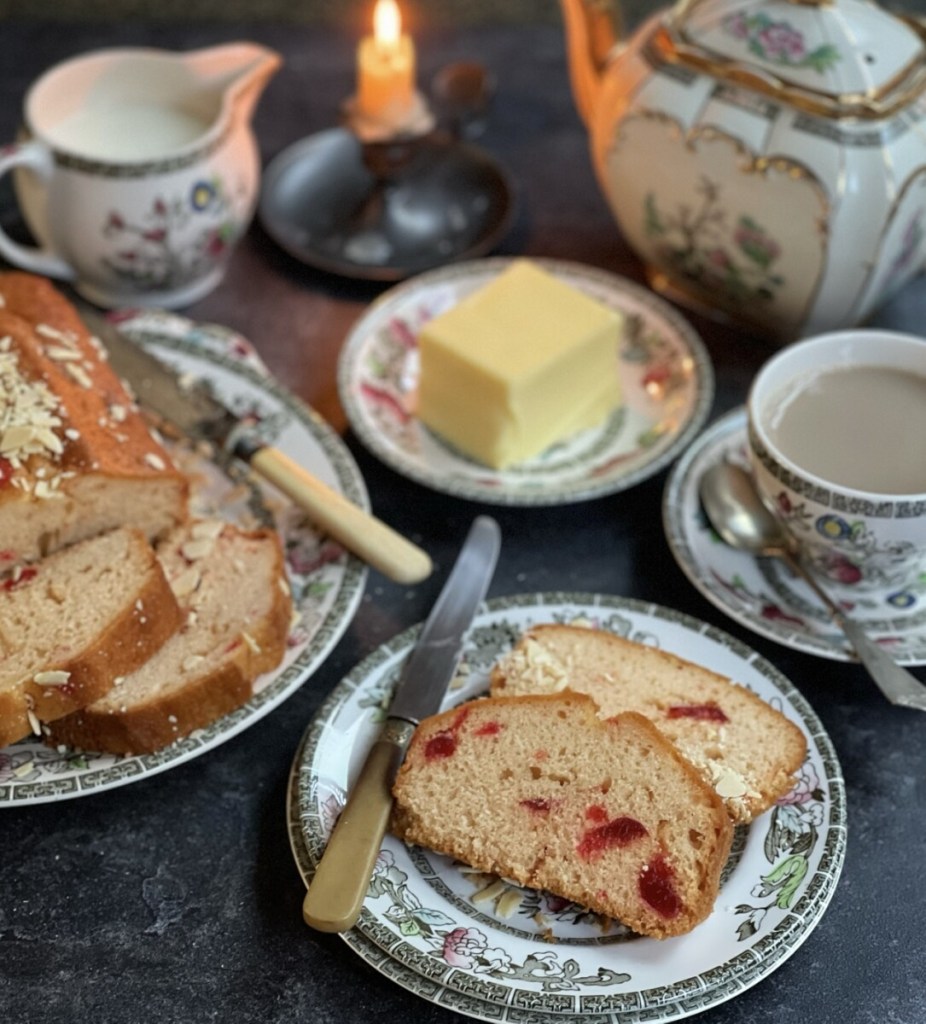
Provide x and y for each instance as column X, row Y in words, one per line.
column 542, row 791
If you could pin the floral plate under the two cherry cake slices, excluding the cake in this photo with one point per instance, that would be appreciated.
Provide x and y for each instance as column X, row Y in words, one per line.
column 498, row 952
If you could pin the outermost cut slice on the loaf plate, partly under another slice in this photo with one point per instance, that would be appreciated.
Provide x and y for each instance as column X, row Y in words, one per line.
column 237, row 610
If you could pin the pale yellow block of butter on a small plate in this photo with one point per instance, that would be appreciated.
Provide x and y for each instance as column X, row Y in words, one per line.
column 520, row 364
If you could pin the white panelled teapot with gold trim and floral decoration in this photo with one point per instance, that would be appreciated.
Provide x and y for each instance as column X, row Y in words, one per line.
column 765, row 159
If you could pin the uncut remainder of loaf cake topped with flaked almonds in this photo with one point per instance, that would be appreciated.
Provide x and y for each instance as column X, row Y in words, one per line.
column 76, row 456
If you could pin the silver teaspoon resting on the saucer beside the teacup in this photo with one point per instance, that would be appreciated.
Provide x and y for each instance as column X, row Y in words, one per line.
column 737, row 513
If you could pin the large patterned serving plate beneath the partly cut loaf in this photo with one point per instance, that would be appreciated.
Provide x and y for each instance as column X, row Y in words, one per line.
column 327, row 584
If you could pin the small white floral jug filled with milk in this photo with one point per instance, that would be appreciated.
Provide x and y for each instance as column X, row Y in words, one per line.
column 137, row 170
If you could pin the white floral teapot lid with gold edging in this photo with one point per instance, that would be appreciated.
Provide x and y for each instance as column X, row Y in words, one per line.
column 845, row 57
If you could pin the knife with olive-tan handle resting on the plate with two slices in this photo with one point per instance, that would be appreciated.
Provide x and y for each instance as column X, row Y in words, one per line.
column 336, row 893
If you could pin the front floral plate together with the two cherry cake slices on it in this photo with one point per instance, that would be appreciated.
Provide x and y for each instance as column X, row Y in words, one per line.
column 621, row 815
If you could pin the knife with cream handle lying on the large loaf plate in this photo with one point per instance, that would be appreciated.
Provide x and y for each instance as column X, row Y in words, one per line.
column 191, row 410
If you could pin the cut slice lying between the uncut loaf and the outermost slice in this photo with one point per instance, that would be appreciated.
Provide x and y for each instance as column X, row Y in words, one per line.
column 76, row 621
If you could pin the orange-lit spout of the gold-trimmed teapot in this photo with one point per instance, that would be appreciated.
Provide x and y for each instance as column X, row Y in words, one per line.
column 594, row 30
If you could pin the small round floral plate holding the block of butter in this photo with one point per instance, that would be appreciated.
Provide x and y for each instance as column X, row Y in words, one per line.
column 667, row 385
